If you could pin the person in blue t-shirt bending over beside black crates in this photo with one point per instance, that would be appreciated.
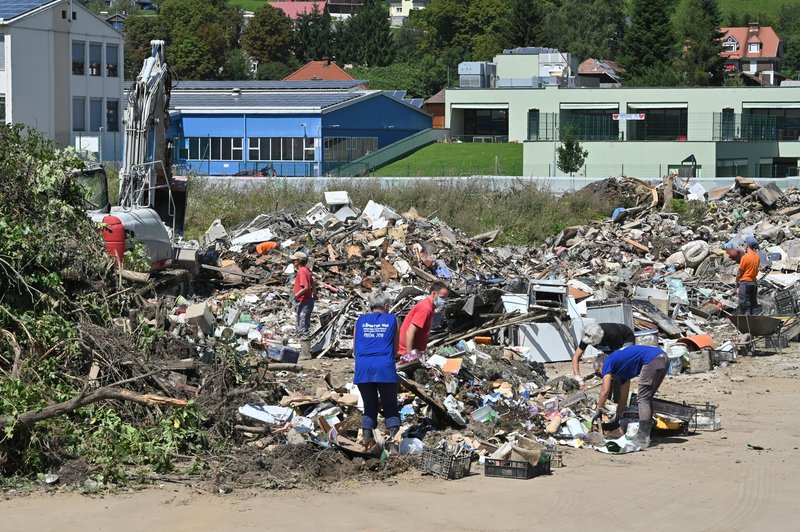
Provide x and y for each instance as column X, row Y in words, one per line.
column 647, row 362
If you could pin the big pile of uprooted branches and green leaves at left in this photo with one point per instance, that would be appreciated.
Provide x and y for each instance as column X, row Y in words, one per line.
column 70, row 384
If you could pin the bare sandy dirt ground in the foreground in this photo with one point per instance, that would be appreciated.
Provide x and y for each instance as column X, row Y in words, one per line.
column 709, row 481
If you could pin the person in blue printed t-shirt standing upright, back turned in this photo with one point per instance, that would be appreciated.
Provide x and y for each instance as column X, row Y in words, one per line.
column 375, row 343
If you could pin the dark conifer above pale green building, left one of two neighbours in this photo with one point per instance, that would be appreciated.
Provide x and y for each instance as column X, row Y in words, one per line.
column 649, row 43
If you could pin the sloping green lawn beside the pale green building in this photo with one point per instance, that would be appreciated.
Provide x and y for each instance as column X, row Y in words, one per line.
column 457, row 159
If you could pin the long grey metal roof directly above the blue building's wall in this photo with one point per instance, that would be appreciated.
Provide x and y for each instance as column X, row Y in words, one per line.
column 267, row 101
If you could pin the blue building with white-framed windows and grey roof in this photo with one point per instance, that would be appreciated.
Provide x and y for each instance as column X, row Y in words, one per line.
column 283, row 128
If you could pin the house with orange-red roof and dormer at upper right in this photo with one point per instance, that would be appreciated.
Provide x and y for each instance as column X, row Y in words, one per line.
column 755, row 52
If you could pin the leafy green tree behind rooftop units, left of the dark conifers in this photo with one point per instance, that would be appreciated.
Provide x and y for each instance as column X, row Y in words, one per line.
column 587, row 28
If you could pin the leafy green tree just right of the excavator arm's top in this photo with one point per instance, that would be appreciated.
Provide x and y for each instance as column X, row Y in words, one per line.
column 200, row 32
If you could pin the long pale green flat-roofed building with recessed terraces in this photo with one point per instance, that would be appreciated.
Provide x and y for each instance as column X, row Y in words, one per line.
column 639, row 132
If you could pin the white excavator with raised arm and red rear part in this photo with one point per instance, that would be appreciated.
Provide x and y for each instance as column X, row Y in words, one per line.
column 151, row 201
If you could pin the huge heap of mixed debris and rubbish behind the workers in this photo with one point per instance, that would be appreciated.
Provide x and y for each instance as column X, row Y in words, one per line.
column 482, row 389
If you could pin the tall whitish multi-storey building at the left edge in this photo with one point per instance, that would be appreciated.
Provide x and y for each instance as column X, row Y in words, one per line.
column 61, row 73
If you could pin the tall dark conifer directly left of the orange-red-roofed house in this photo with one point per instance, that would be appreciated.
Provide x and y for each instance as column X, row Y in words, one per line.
column 698, row 24
